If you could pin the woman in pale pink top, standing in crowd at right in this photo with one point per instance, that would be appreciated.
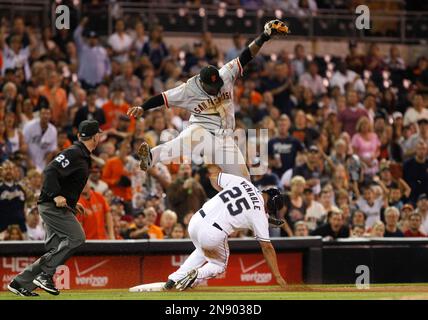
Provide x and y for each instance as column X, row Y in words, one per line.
column 366, row 145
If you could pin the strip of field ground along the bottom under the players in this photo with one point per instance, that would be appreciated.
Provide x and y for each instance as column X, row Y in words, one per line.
column 320, row 292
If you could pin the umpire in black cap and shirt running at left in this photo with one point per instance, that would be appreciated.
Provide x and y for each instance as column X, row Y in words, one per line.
column 64, row 180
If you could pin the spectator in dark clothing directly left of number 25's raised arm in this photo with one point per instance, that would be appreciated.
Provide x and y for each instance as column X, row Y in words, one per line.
column 185, row 194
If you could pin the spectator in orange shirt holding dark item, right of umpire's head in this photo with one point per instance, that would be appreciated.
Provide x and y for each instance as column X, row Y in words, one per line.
column 116, row 174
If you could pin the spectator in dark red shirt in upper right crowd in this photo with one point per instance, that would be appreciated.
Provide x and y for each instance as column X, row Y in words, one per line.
column 352, row 113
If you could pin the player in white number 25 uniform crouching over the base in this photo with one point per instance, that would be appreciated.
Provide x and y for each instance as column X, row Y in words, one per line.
column 239, row 205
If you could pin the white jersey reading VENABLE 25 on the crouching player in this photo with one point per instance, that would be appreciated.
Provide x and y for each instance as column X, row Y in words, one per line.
column 238, row 206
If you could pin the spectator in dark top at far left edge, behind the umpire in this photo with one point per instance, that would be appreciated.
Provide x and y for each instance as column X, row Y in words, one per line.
column 12, row 199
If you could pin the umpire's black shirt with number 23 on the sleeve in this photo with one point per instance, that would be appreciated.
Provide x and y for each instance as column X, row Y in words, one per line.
column 66, row 175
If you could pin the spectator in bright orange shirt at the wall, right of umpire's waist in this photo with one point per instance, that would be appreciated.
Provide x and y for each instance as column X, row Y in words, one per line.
column 97, row 221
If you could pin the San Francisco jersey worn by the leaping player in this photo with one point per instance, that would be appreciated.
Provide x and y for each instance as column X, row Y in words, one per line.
column 210, row 112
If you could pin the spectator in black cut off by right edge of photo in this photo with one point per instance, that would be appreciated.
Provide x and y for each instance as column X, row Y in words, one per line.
column 415, row 171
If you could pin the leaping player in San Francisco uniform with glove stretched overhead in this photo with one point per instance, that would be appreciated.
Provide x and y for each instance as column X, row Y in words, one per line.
column 209, row 98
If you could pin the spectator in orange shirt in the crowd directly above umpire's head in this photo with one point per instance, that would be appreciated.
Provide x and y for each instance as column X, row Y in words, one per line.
column 56, row 96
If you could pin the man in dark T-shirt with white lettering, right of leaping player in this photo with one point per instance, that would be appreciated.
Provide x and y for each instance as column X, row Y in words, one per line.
column 284, row 148
